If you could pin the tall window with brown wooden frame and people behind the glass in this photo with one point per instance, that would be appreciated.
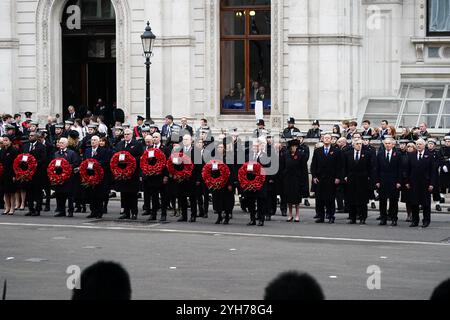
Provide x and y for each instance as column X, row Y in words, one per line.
column 245, row 55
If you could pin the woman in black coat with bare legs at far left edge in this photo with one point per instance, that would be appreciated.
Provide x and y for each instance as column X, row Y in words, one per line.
column 7, row 156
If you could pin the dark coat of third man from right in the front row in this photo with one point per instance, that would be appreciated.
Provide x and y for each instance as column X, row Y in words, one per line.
column 358, row 175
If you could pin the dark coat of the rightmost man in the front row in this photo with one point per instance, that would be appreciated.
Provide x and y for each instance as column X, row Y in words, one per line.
column 420, row 174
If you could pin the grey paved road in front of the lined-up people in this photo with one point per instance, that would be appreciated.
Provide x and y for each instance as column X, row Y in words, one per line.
column 206, row 261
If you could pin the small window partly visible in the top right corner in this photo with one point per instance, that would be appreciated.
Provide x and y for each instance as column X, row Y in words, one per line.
column 438, row 17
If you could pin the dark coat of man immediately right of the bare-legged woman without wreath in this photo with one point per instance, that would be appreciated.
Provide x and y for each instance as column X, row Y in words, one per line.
column 326, row 169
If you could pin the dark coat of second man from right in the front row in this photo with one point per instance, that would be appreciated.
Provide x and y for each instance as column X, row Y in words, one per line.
column 388, row 174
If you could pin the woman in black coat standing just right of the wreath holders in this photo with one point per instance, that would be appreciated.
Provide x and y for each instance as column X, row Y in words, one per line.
column 295, row 170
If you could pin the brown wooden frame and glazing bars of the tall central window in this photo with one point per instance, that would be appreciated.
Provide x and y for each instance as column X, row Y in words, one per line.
column 246, row 38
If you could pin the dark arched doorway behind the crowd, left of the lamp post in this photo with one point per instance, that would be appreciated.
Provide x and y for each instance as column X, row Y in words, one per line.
column 88, row 54
